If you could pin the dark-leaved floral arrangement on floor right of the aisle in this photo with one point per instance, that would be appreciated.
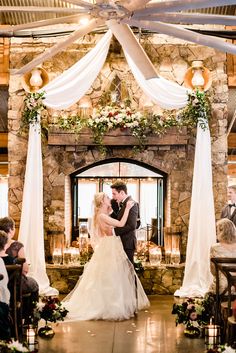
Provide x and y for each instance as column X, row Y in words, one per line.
column 193, row 312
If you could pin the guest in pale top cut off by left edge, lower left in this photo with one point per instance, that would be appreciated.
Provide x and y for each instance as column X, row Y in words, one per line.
column 5, row 331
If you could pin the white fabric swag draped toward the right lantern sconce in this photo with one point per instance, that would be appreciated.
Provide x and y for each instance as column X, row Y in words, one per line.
column 167, row 94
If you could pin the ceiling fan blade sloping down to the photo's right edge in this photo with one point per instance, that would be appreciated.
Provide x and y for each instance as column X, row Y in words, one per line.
column 179, row 32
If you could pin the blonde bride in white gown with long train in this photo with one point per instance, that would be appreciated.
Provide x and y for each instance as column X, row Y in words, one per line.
column 109, row 288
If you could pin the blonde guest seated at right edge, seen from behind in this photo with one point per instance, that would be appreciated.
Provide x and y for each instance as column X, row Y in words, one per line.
column 226, row 247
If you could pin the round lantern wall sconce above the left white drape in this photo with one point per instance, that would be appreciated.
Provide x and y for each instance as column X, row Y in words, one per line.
column 35, row 80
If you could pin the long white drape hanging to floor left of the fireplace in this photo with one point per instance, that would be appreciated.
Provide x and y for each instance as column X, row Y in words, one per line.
column 31, row 232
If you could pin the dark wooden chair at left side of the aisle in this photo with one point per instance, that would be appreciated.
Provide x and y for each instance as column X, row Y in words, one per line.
column 15, row 287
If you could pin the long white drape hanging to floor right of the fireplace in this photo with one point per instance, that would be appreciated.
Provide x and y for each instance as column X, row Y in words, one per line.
column 202, row 232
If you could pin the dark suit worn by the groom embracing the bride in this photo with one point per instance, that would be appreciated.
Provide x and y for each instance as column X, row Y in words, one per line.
column 127, row 233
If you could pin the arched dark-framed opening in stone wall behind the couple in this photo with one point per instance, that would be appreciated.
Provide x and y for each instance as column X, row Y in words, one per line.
column 146, row 184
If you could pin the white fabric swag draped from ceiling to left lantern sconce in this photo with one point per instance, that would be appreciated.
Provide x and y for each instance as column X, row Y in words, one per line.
column 73, row 84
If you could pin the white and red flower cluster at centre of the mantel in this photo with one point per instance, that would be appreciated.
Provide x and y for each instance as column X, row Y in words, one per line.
column 110, row 117
